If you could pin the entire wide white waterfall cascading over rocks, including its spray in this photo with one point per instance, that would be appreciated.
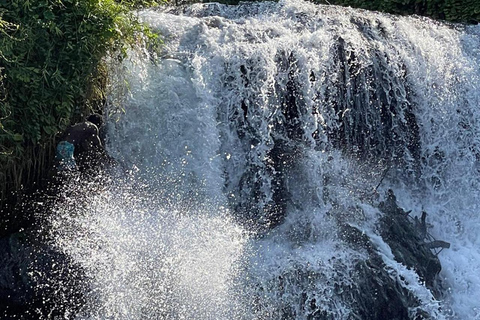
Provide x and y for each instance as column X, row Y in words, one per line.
column 253, row 144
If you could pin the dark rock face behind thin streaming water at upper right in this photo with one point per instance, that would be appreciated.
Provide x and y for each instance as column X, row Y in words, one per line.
column 371, row 101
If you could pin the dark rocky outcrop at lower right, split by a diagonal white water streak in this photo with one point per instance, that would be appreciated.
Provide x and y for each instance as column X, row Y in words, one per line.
column 377, row 293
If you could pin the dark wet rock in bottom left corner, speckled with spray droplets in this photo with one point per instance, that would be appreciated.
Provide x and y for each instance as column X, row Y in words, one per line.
column 36, row 281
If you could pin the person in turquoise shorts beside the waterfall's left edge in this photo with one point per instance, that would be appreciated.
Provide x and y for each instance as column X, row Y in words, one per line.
column 80, row 145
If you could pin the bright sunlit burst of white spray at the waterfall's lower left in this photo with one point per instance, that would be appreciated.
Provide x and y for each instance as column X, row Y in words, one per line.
column 145, row 259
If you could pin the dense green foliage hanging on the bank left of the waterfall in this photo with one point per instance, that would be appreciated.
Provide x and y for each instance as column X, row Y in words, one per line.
column 50, row 53
